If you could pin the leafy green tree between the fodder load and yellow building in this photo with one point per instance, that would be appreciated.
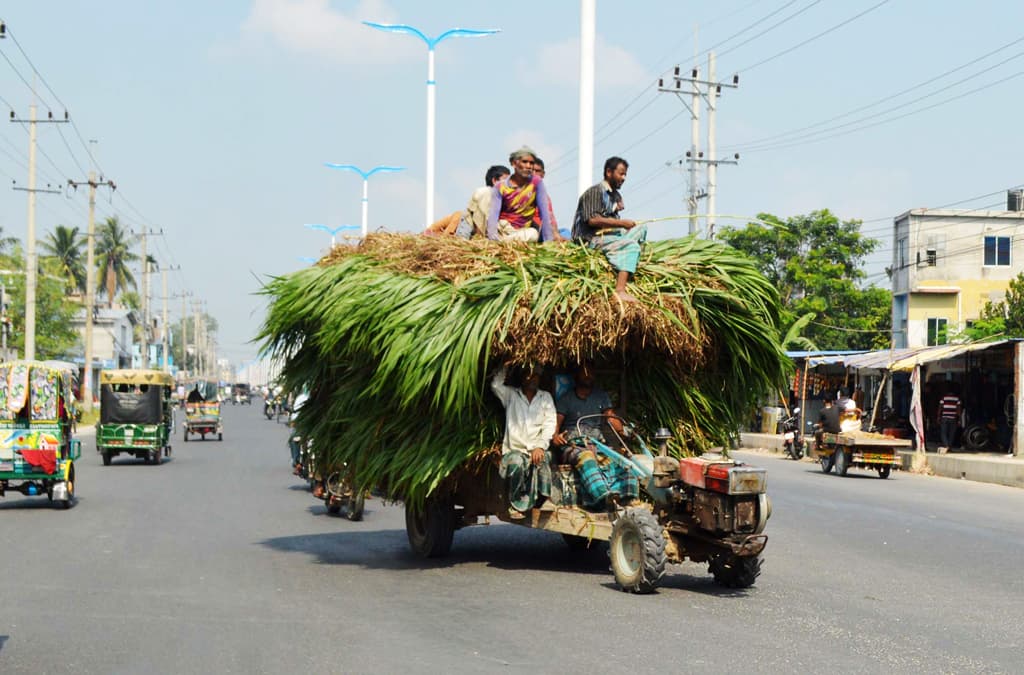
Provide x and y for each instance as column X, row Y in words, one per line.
column 816, row 263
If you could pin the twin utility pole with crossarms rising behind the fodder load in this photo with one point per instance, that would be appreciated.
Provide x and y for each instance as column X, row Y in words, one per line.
column 695, row 156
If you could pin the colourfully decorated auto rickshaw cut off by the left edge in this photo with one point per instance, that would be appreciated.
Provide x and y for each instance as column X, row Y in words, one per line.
column 37, row 419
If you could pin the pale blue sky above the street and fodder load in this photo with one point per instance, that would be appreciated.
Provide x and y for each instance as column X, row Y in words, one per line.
column 216, row 119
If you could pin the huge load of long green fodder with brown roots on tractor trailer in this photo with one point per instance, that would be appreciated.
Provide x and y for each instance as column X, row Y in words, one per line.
column 396, row 341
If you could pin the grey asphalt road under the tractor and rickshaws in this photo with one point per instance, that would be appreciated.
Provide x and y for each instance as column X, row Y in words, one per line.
column 221, row 562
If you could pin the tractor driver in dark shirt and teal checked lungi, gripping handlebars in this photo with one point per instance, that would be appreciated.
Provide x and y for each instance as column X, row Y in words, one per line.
column 600, row 478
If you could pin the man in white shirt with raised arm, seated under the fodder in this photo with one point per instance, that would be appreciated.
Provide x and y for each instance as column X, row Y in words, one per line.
column 530, row 425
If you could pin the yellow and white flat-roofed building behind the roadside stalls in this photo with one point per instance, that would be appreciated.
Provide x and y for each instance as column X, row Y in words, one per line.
column 948, row 265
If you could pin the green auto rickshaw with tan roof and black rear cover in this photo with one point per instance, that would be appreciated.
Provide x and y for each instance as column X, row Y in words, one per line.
column 136, row 415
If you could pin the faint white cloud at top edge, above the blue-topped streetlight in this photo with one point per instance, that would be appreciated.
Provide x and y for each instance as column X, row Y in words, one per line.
column 313, row 28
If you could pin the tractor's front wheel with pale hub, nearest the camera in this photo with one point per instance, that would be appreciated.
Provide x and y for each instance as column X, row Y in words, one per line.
column 637, row 552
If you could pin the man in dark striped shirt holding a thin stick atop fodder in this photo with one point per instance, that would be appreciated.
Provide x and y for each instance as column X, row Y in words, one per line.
column 599, row 225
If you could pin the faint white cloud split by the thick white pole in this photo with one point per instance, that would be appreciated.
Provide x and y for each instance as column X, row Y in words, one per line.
column 560, row 65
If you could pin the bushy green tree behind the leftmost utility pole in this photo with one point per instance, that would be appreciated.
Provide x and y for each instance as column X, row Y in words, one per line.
column 56, row 333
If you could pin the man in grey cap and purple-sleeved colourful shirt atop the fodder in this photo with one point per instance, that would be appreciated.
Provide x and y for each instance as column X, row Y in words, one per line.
column 518, row 200
